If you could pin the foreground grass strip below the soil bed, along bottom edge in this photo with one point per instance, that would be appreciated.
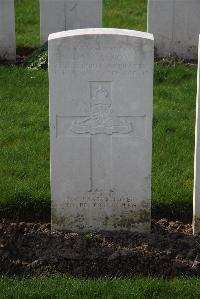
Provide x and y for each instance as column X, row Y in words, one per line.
column 135, row 288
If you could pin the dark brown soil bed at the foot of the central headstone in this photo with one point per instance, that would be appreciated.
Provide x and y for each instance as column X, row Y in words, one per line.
column 31, row 249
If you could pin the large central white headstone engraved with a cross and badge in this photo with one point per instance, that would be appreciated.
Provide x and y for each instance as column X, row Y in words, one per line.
column 101, row 85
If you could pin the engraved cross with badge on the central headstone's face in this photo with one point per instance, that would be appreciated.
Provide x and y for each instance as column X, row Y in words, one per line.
column 101, row 124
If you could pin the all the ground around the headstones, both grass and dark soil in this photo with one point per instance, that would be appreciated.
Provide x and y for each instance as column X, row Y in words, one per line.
column 26, row 245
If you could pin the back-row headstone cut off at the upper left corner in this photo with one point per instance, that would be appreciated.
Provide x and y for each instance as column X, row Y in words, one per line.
column 7, row 30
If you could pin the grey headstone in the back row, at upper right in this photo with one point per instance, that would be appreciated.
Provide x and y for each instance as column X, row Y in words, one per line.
column 175, row 25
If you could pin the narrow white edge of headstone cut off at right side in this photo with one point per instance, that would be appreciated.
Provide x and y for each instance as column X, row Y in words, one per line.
column 196, row 191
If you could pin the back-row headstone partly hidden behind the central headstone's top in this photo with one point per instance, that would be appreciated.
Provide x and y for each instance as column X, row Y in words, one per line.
column 61, row 15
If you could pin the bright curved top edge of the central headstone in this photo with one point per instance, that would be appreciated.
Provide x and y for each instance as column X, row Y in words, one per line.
column 101, row 31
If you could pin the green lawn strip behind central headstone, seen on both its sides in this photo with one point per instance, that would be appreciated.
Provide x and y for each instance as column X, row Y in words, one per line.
column 24, row 147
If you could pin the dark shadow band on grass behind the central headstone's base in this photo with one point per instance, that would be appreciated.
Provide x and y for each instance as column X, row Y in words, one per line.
column 24, row 208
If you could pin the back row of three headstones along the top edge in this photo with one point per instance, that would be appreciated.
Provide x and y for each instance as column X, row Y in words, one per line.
column 174, row 23
